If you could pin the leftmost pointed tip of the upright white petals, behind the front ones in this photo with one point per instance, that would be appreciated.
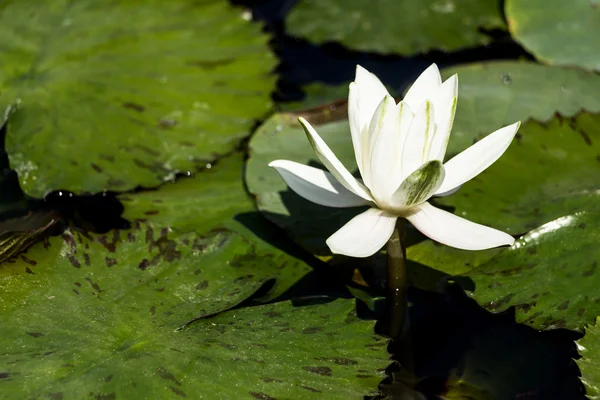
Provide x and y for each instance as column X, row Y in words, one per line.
column 370, row 93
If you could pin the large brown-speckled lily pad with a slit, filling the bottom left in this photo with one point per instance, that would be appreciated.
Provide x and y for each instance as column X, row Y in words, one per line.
column 131, row 312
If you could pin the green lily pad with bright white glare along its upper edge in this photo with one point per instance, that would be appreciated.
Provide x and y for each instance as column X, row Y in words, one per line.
column 549, row 275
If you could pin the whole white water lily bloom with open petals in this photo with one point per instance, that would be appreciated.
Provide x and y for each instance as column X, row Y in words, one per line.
column 399, row 150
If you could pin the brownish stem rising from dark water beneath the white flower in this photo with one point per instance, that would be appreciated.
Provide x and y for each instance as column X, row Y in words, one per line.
column 397, row 281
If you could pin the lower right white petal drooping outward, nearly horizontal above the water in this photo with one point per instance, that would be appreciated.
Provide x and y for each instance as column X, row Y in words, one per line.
column 454, row 231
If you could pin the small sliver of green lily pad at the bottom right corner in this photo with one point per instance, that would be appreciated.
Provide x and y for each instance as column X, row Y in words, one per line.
column 589, row 363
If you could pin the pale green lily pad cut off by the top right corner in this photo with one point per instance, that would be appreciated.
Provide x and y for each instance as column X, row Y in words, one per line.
column 557, row 32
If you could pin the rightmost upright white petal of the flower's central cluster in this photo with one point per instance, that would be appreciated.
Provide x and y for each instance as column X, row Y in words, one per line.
column 444, row 105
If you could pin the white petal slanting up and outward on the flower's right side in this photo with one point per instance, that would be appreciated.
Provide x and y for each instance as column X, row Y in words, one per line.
column 471, row 162
